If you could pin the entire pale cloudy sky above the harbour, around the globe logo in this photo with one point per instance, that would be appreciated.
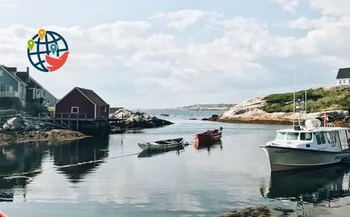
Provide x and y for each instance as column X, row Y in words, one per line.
column 165, row 54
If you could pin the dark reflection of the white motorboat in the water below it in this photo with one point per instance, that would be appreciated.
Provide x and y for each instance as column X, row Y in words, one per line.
column 313, row 186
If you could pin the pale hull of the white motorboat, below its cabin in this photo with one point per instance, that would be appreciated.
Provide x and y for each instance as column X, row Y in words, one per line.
column 282, row 158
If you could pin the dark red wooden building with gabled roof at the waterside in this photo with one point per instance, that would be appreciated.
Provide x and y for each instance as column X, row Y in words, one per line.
column 82, row 104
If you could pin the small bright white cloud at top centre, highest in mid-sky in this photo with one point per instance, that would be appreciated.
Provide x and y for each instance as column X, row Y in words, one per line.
column 184, row 18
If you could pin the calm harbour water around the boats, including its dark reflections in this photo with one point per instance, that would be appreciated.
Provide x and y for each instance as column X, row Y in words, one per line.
column 106, row 176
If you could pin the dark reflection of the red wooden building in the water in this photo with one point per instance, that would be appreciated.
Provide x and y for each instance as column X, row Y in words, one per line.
column 79, row 158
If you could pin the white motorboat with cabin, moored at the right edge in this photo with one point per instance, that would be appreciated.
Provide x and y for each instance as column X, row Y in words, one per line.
column 311, row 145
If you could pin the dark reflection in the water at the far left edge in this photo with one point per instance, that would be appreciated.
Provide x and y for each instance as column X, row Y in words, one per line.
column 18, row 166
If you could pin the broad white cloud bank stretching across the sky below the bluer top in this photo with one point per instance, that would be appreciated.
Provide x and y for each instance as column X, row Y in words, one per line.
column 133, row 64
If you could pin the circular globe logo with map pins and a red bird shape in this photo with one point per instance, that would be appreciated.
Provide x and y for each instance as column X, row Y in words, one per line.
column 47, row 51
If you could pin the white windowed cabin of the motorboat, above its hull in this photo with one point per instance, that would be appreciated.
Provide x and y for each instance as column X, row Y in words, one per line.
column 330, row 139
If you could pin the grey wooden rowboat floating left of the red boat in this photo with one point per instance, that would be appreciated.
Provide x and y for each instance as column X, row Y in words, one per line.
column 161, row 144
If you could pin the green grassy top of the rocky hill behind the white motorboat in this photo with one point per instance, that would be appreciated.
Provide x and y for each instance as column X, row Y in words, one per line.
column 320, row 99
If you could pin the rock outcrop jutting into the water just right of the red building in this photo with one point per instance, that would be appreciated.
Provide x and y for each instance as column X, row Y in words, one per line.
column 138, row 119
